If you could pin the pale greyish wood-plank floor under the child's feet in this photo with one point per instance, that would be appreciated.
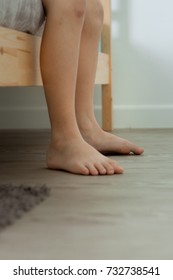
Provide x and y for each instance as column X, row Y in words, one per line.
column 126, row 216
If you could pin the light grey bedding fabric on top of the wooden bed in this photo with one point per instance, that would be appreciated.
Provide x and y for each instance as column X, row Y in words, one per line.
column 22, row 15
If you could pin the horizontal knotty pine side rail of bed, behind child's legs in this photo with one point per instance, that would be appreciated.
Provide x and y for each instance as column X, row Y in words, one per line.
column 19, row 60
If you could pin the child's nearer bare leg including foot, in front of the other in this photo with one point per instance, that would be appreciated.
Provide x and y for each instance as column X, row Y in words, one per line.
column 59, row 63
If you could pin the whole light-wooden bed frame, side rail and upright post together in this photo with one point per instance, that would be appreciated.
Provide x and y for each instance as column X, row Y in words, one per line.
column 19, row 62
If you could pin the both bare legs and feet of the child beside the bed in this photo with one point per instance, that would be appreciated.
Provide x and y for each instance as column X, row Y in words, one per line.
column 68, row 79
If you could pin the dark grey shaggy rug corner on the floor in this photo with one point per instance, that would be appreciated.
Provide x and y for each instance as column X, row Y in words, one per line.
column 15, row 201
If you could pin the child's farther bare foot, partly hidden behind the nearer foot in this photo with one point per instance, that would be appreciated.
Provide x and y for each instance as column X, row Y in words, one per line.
column 105, row 142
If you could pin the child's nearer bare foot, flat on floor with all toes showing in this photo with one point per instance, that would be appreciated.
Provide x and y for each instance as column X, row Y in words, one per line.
column 77, row 156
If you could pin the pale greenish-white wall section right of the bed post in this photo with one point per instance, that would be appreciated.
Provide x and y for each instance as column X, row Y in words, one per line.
column 143, row 63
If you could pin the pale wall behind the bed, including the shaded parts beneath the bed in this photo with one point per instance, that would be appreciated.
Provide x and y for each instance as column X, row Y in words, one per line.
column 142, row 72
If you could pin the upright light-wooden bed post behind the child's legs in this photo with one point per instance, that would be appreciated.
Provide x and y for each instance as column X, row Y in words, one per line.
column 106, row 47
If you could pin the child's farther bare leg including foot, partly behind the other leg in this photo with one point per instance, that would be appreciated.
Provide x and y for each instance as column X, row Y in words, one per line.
column 87, row 123
